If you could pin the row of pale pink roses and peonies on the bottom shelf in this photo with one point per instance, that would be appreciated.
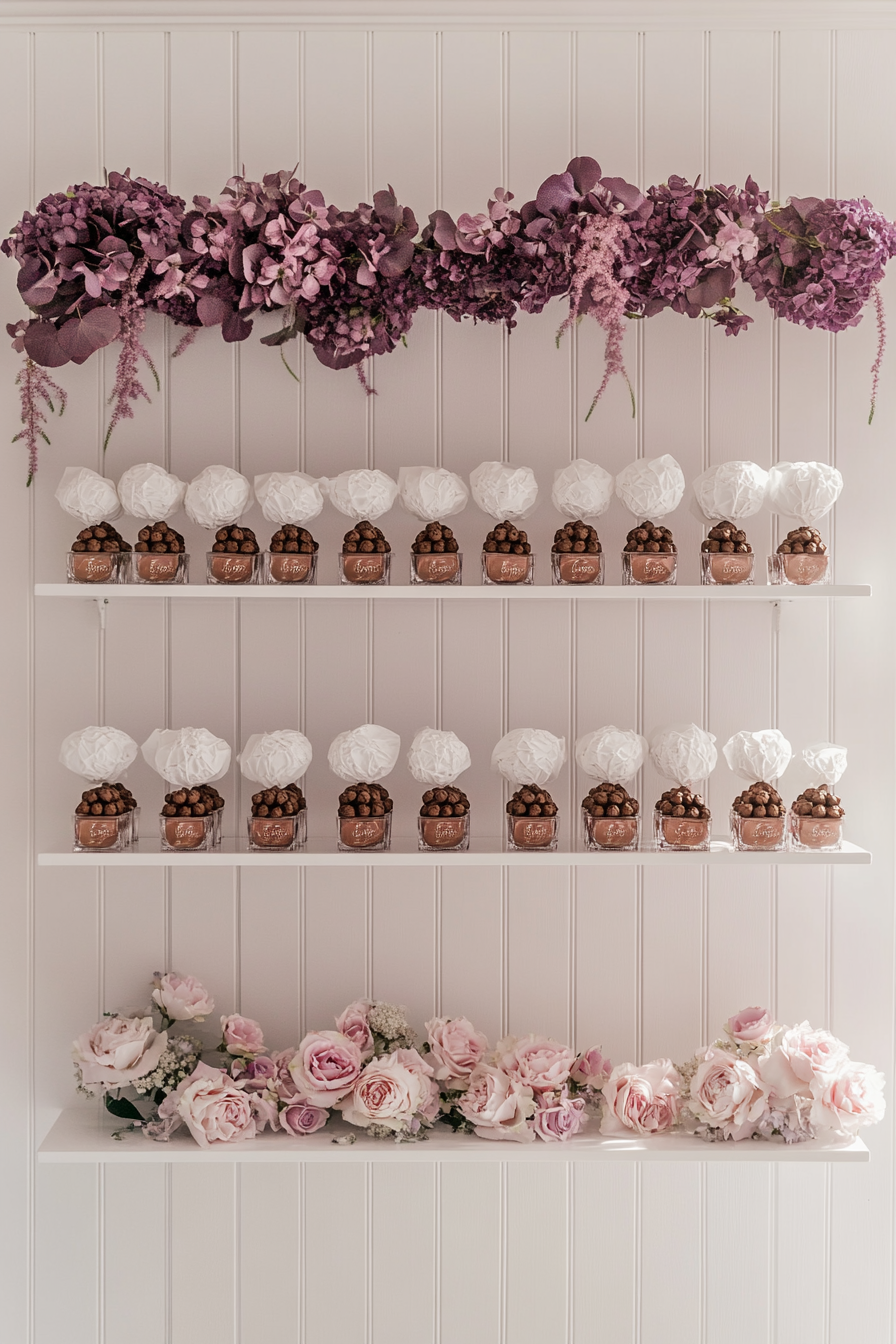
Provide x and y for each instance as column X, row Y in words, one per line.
column 758, row 1081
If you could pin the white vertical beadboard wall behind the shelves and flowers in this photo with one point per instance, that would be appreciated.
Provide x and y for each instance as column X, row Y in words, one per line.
column 644, row 962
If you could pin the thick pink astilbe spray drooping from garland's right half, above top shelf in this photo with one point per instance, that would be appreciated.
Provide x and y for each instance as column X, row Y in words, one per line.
column 596, row 291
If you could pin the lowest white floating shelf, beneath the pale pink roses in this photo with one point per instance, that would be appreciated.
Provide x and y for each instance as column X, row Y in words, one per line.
column 84, row 1135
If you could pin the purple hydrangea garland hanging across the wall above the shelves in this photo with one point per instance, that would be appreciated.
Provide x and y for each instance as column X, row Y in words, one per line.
column 95, row 260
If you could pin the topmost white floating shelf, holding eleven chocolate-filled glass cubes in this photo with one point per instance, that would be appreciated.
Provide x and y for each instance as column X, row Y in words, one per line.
column 469, row 593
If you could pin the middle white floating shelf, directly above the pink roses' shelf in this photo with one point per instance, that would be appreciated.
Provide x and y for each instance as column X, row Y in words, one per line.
column 487, row 853
